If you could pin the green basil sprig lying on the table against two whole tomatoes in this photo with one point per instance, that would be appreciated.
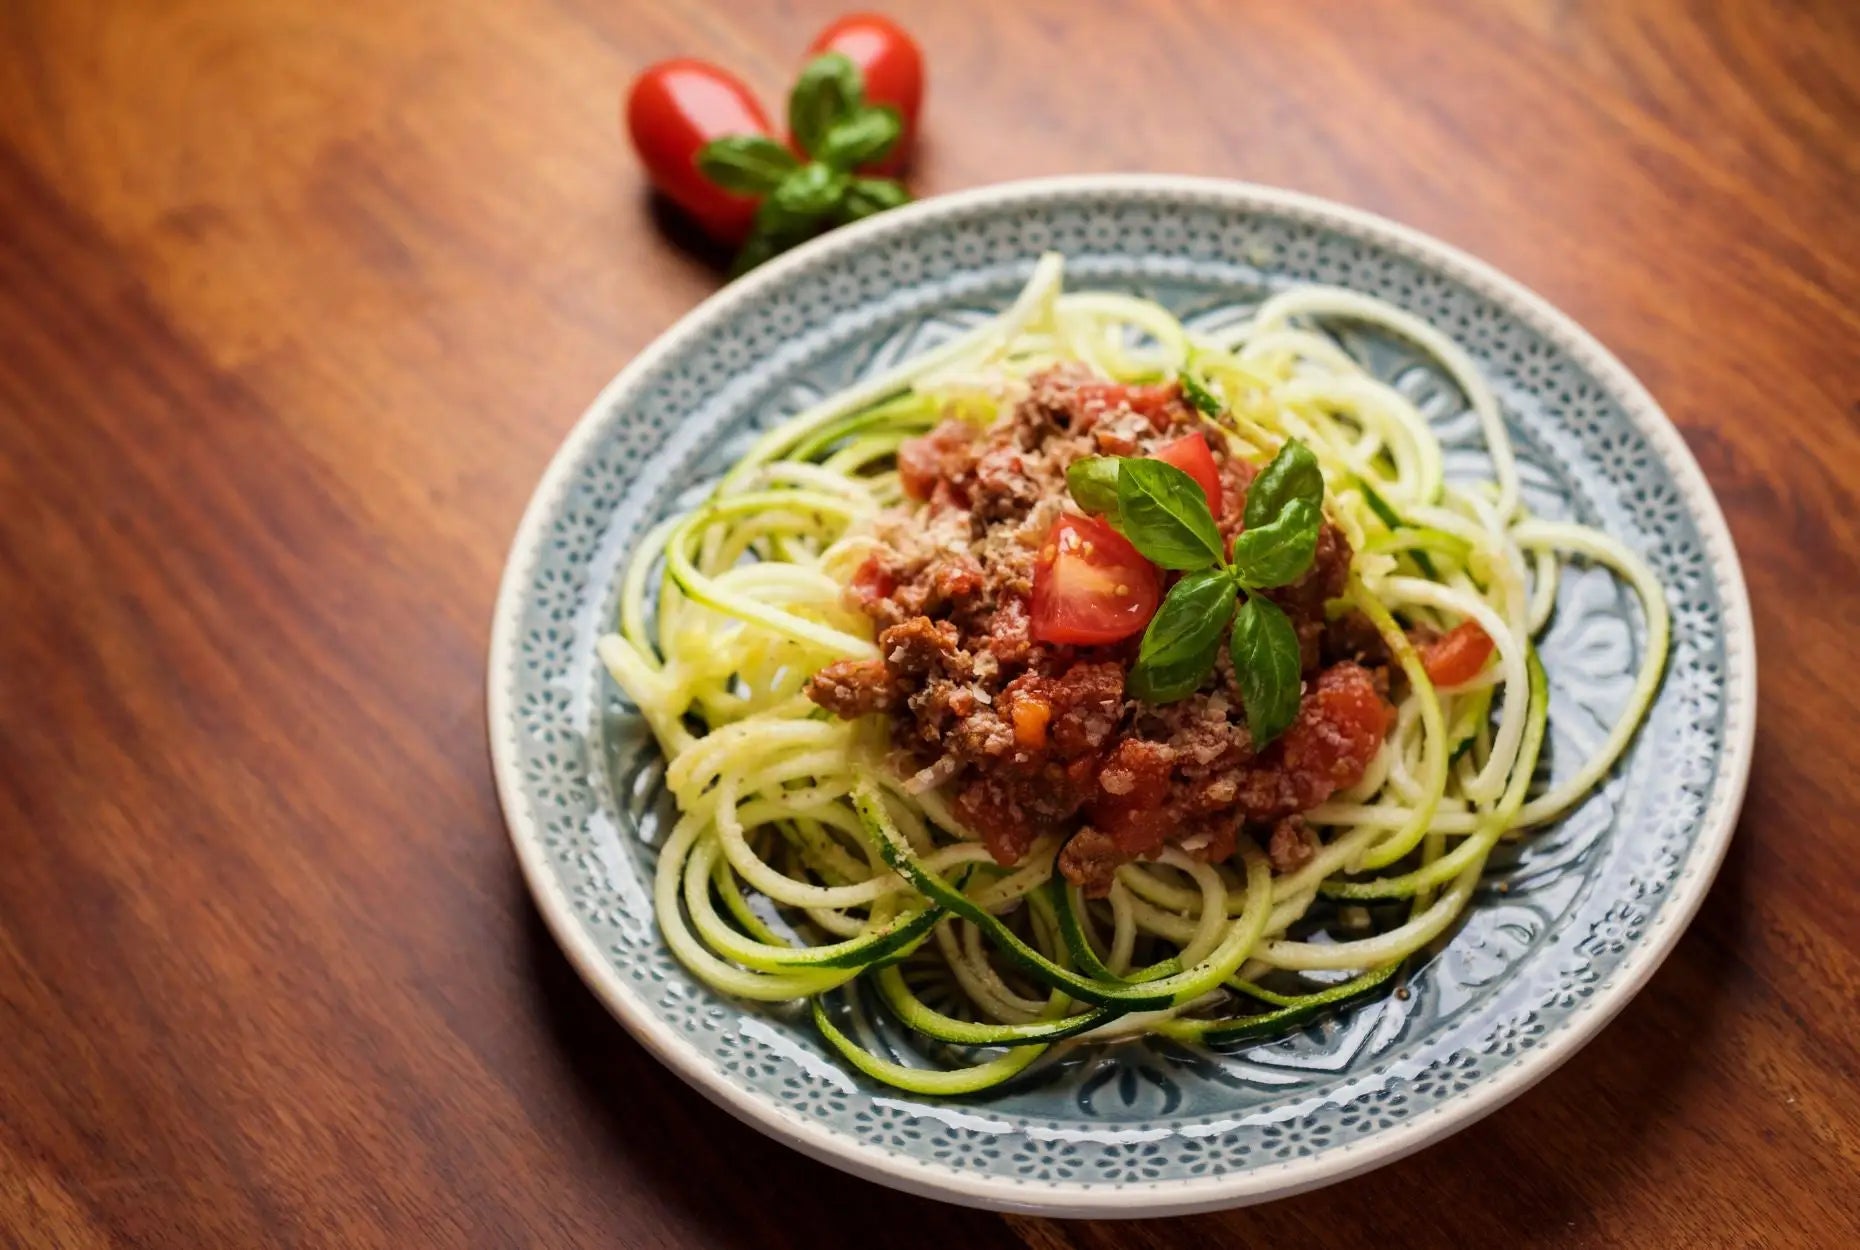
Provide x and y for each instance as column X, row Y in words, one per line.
column 838, row 131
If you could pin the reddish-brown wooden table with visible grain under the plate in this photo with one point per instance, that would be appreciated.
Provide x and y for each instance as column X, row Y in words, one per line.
column 299, row 299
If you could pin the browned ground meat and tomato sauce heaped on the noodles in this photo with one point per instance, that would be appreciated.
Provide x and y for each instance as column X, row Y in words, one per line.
column 1041, row 739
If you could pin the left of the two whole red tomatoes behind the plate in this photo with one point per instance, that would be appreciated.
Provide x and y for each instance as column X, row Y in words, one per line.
column 672, row 111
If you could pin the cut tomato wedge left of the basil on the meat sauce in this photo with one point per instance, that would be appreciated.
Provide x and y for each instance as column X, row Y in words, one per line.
column 1091, row 585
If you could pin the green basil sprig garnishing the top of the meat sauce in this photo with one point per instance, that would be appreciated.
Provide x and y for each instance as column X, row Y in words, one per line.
column 1165, row 516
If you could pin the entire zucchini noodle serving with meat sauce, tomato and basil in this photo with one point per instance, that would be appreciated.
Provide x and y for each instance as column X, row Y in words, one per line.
column 1093, row 676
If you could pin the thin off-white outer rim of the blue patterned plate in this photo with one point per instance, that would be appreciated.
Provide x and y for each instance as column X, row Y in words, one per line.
column 1225, row 1190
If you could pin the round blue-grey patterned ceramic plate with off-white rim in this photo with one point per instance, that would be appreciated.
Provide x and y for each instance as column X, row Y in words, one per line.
column 1571, row 924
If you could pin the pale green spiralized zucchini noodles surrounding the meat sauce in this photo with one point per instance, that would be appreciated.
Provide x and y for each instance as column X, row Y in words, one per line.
column 803, row 866
